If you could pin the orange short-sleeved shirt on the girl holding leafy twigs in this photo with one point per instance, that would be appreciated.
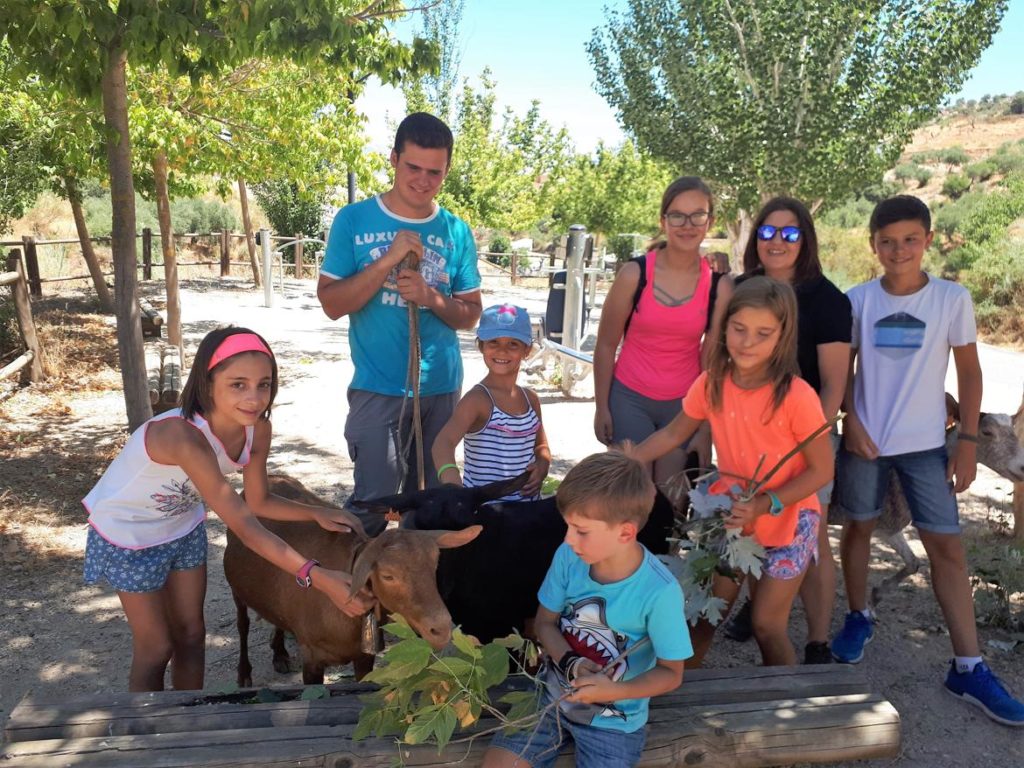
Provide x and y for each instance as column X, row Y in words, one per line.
column 747, row 429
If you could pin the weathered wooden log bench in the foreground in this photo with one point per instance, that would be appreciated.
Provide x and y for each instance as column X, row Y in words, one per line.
column 741, row 718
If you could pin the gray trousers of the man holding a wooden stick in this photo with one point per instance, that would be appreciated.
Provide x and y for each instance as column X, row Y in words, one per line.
column 375, row 441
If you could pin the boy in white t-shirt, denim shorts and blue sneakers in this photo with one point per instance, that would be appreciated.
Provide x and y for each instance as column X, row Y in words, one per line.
column 905, row 326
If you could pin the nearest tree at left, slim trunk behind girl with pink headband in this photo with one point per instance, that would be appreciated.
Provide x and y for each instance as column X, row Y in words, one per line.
column 86, row 47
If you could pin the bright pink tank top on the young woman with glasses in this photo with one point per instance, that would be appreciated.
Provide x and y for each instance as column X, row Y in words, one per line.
column 661, row 356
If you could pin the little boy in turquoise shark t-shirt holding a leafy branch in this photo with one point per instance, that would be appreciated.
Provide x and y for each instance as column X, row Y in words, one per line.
column 611, row 621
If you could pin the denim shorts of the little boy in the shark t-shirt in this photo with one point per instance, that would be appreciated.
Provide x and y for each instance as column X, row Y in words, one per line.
column 595, row 748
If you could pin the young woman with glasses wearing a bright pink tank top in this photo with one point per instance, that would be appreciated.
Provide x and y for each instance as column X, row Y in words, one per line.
column 660, row 308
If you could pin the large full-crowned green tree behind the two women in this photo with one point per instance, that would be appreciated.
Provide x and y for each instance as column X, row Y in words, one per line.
column 763, row 99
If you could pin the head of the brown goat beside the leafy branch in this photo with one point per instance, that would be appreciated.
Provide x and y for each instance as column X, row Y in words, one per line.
column 400, row 567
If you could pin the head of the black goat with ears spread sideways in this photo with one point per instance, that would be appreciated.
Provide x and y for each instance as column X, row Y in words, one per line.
column 449, row 507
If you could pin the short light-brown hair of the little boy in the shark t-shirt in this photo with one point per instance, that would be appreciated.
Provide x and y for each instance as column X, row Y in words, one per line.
column 611, row 487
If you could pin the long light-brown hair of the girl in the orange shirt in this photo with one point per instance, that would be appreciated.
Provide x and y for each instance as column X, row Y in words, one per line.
column 759, row 293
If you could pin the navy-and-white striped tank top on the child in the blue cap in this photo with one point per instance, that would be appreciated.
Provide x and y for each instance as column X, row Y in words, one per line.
column 503, row 449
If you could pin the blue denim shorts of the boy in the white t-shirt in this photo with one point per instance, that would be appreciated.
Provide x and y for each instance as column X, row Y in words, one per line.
column 862, row 484
